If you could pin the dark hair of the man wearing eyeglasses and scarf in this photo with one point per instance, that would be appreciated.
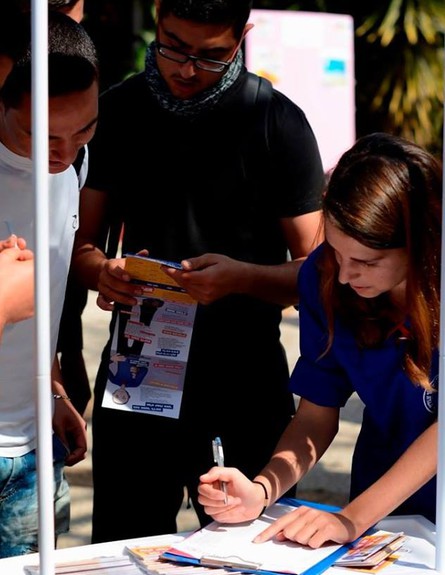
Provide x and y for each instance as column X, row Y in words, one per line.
column 232, row 12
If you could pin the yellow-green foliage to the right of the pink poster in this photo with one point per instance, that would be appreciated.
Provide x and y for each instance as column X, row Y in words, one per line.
column 406, row 41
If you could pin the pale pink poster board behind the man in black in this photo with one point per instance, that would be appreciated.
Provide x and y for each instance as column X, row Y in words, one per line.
column 309, row 57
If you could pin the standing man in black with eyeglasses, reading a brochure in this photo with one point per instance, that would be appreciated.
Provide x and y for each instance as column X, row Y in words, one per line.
column 176, row 159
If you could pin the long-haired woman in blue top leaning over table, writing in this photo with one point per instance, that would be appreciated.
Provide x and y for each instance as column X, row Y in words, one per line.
column 369, row 323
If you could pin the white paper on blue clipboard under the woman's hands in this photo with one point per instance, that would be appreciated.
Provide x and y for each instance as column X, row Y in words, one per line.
column 231, row 546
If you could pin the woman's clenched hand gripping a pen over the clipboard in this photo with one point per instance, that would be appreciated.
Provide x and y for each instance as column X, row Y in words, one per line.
column 245, row 498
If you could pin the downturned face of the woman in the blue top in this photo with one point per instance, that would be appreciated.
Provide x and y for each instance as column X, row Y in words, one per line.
column 368, row 271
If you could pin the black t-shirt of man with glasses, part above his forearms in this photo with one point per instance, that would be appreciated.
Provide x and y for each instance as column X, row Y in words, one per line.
column 192, row 187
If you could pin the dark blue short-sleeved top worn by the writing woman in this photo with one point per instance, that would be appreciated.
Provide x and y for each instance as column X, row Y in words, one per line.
column 396, row 411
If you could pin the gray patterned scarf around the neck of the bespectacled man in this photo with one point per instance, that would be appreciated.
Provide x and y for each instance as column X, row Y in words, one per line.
column 188, row 108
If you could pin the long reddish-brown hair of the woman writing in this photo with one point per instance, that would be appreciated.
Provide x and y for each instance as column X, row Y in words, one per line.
column 386, row 192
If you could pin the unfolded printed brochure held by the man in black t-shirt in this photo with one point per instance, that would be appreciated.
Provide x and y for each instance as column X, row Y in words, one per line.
column 151, row 343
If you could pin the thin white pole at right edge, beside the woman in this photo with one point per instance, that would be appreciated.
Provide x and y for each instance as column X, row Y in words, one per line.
column 440, row 507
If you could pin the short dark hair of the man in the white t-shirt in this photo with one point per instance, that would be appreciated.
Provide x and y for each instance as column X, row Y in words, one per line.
column 72, row 62
